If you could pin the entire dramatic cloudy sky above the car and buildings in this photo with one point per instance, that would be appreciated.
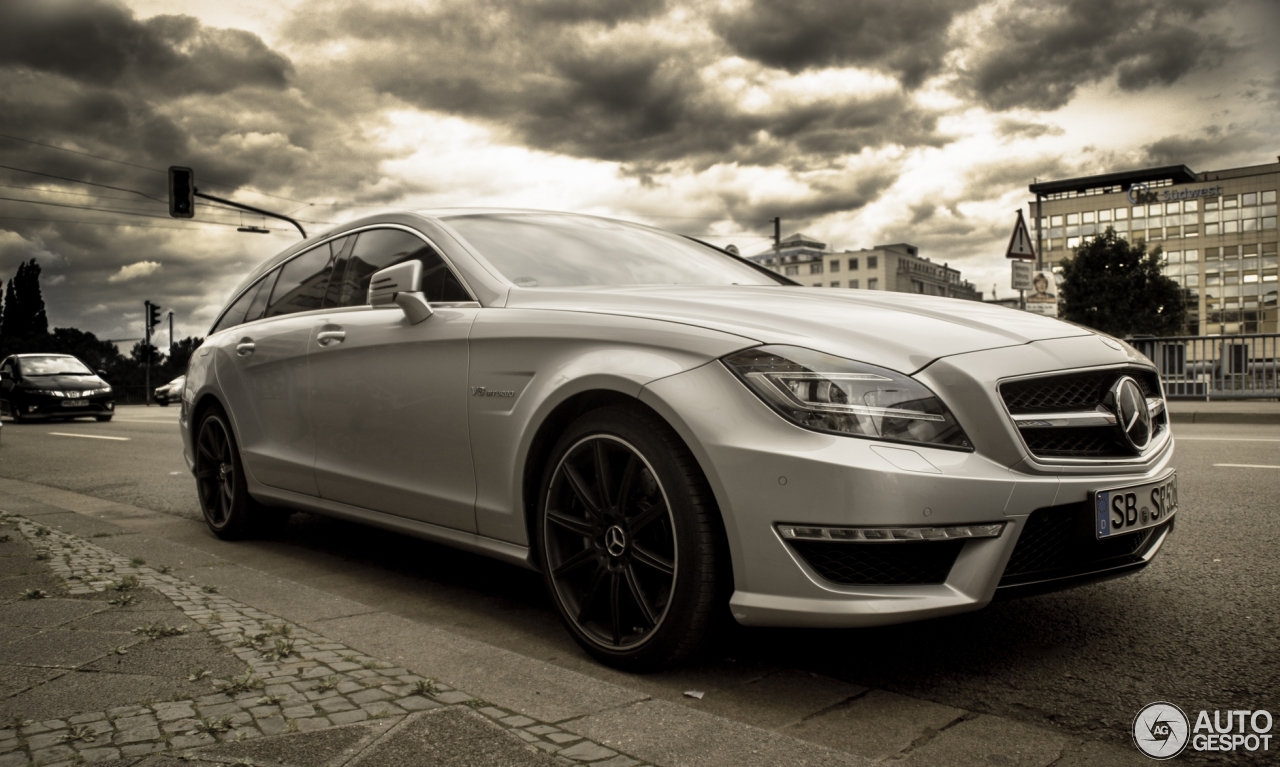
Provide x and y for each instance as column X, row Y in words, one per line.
column 858, row 122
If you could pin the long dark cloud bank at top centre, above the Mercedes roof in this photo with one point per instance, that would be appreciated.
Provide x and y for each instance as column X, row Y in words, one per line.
column 606, row 86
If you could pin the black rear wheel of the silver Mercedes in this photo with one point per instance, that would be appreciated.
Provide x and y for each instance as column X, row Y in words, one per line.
column 222, row 487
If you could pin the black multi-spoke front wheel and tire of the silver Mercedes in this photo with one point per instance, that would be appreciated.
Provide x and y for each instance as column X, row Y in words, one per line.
column 627, row 532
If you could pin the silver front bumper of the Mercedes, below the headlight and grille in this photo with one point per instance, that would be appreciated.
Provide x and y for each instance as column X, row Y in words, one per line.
column 767, row 472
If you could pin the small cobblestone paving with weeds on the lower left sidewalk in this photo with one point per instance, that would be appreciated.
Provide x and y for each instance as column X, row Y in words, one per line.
column 298, row 681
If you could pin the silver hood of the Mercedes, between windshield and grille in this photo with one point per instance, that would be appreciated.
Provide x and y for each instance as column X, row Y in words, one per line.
column 900, row 331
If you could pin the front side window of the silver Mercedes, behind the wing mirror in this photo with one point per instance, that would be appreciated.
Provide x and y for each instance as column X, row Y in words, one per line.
column 381, row 249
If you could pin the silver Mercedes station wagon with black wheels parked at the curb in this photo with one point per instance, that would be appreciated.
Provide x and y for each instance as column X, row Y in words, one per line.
column 664, row 430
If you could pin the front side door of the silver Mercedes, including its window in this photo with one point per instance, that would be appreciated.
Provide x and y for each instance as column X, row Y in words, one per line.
column 390, row 399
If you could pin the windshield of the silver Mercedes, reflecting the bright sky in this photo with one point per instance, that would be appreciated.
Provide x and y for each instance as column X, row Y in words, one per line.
column 561, row 250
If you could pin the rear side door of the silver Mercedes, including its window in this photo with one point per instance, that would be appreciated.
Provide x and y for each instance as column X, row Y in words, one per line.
column 262, row 368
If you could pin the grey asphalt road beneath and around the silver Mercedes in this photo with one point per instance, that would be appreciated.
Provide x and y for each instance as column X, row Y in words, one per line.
column 1197, row 628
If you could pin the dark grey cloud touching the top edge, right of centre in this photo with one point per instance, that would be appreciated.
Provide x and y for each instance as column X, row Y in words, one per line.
column 907, row 38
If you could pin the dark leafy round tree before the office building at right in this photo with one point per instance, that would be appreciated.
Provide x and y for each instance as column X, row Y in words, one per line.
column 1117, row 287
